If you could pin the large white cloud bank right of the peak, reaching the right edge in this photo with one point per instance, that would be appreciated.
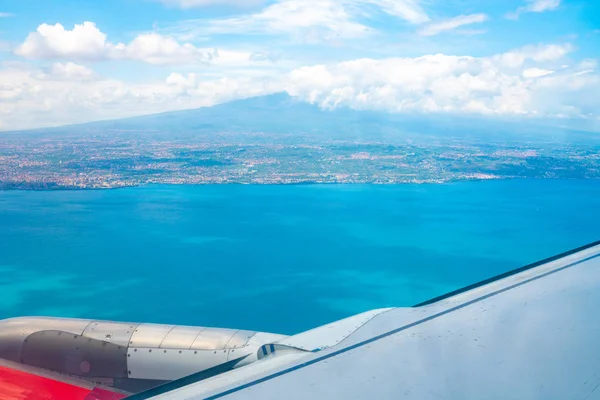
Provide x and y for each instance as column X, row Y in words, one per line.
column 441, row 83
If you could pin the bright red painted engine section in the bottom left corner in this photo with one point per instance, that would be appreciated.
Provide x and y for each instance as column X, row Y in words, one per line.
column 18, row 382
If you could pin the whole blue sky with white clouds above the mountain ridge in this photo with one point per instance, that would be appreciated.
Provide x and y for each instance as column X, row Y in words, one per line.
column 65, row 61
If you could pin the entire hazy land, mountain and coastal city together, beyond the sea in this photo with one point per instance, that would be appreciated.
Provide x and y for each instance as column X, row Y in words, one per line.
column 278, row 140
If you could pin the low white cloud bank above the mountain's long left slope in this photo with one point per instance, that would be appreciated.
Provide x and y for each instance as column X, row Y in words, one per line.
column 33, row 98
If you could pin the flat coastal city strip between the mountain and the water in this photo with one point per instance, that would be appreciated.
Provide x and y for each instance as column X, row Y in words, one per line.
column 95, row 161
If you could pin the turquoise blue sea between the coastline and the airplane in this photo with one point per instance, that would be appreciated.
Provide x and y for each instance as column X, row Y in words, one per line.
column 275, row 258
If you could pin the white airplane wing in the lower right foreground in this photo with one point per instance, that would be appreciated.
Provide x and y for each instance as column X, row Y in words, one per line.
column 532, row 333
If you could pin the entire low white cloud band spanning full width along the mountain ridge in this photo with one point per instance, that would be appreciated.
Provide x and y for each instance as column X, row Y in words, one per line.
column 530, row 81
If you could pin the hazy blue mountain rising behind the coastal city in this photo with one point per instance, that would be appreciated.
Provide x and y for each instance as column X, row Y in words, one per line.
column 284, row 114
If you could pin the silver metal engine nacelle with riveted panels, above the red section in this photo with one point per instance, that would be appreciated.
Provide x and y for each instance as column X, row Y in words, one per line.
column 129, row 356
